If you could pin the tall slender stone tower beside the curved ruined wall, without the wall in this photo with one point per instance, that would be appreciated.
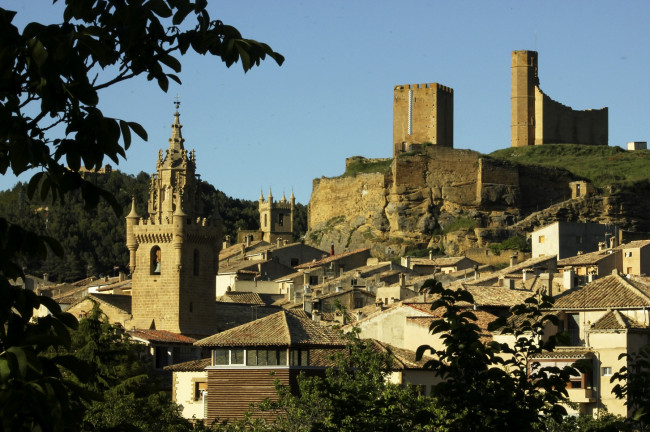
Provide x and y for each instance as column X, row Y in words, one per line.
column 522, row 101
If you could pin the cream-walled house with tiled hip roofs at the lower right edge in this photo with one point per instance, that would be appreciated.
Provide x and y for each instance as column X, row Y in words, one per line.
column 604, row 319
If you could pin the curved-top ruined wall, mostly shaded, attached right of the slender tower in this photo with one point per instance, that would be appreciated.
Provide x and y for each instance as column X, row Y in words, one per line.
column 557, row 123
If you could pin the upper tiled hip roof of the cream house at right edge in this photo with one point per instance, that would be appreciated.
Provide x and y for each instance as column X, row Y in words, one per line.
column 611, row 291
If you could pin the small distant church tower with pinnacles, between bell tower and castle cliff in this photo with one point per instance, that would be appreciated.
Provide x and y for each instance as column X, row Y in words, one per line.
column 276, row 217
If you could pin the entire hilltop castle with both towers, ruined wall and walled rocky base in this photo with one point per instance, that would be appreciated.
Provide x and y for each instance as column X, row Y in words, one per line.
column 430, row 184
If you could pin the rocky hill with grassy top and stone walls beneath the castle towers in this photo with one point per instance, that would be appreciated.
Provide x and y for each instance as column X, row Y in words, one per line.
column 463, row 202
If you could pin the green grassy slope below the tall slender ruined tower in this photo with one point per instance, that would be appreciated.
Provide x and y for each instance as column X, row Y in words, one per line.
column 601, row 165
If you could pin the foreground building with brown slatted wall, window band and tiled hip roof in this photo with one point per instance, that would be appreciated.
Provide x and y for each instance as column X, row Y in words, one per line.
column 247, row 360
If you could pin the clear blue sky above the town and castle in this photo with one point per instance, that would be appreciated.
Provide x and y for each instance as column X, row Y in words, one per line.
column 281, row 127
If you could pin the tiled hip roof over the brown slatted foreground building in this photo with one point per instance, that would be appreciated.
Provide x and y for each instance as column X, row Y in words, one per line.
column 279, row 329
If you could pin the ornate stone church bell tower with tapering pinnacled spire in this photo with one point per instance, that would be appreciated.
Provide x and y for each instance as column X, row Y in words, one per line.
column 174, row 253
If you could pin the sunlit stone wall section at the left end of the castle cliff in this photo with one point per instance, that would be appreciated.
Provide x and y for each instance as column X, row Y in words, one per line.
column 363, row 194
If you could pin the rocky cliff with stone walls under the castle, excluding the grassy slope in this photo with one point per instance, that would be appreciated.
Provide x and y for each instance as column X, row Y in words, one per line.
column 454, row 200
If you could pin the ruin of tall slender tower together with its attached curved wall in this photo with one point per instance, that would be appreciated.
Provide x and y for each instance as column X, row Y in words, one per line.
column 537, row 119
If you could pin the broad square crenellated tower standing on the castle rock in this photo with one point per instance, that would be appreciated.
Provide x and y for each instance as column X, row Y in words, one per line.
column 422, row 113
